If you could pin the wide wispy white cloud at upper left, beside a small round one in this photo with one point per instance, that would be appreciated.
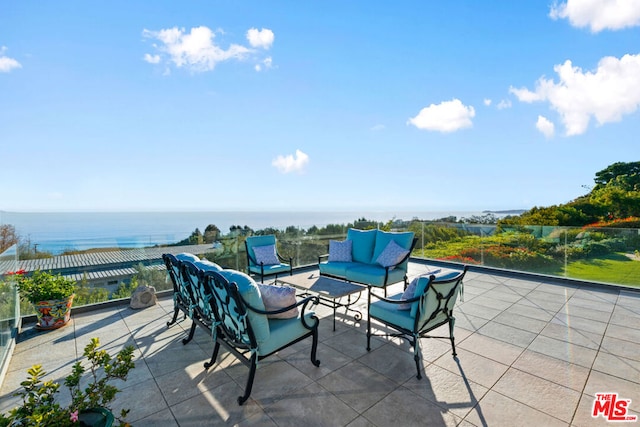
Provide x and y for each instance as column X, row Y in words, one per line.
column 195, row 50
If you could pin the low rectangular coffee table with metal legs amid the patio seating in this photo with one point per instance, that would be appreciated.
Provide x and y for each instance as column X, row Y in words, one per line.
column 330, row 291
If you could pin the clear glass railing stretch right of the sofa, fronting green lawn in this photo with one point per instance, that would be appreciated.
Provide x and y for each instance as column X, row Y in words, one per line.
column 597, row 254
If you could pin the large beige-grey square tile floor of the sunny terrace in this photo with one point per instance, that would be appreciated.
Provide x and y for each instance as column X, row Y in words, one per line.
column 530, row 352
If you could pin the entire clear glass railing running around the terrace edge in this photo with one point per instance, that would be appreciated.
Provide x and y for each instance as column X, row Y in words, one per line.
column 595, row 254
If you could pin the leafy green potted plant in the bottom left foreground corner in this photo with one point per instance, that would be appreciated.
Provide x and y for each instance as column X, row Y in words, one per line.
column 91, row 395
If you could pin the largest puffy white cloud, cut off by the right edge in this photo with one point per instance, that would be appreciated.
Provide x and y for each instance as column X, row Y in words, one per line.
column 607, row 94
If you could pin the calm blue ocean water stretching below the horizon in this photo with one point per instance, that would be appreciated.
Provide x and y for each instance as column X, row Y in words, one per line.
column 59, row 231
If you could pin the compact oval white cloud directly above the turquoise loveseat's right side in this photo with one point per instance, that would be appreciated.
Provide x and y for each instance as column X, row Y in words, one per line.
column 448, row 116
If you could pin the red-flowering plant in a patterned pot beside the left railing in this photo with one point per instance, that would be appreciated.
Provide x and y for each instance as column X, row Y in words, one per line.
column 51, row 296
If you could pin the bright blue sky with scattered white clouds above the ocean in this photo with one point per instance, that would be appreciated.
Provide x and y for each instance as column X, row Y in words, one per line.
column 313, row 105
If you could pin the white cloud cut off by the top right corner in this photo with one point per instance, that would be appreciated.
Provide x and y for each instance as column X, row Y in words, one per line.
column 598, row 14
